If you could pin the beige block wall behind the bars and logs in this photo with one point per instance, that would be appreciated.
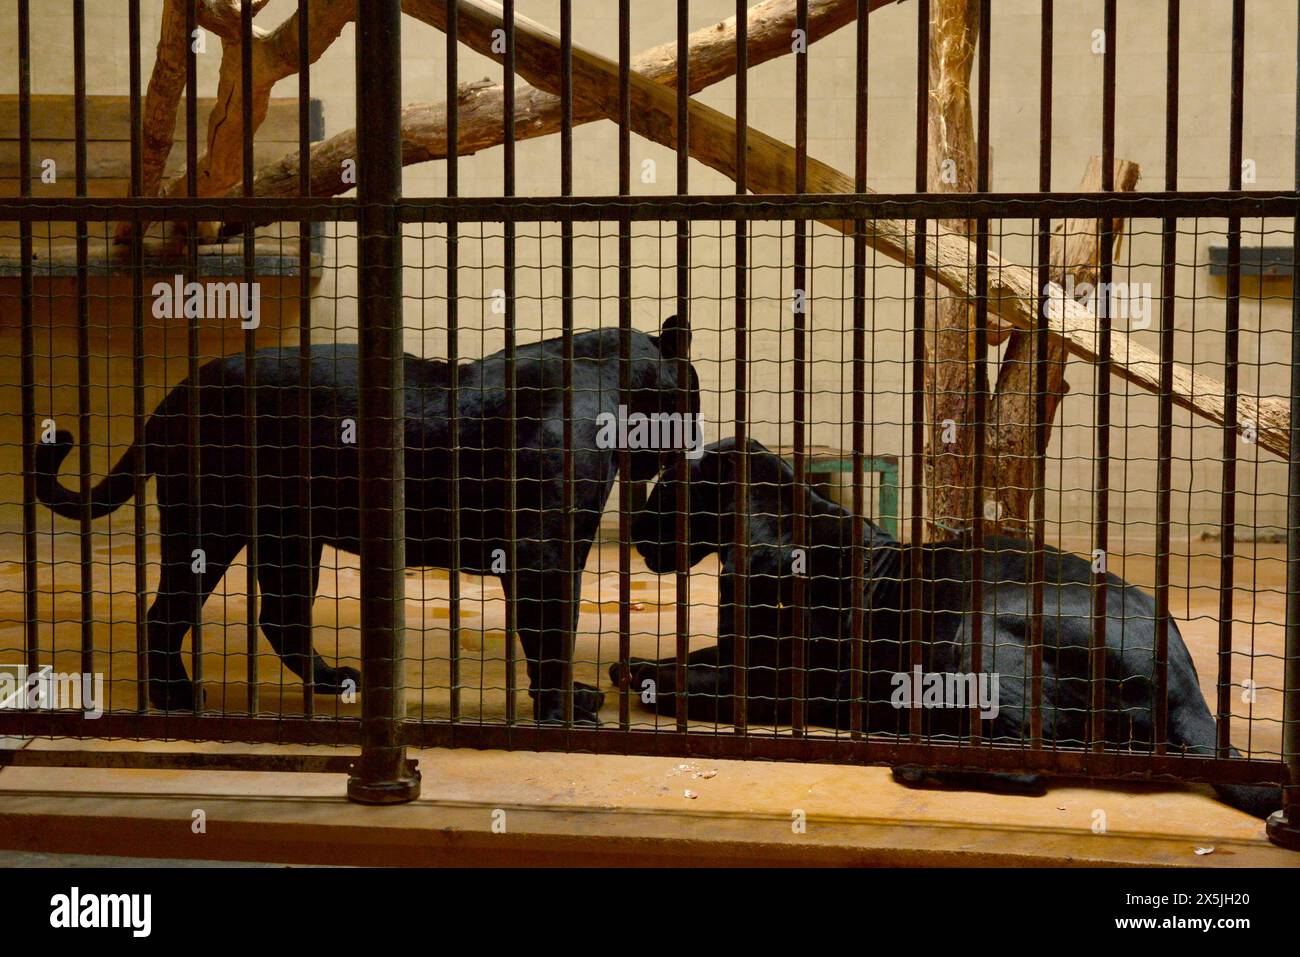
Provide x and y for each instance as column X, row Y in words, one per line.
column 1269, row 141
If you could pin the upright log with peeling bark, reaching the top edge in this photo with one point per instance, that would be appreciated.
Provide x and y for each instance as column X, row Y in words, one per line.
column 950, row 341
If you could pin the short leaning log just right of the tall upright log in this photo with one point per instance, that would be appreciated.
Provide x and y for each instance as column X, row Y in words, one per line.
column 1012, row 448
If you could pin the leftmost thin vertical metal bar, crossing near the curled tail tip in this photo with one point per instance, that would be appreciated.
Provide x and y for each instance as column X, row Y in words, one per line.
column 28, row 347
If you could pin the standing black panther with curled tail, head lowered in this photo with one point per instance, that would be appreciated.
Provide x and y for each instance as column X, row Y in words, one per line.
column 288, row 575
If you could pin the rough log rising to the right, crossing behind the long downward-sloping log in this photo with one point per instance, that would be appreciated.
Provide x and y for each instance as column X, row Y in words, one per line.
column 538, row 114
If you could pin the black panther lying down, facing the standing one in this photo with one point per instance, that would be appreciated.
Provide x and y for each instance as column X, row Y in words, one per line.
column 946, row 609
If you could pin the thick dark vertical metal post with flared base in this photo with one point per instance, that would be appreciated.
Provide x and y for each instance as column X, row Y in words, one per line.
column 383, row 774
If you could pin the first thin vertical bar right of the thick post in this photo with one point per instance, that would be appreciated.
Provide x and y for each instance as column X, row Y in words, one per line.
column 454, row 354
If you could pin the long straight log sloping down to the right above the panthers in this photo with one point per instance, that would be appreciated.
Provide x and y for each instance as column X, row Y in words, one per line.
column 950, row 258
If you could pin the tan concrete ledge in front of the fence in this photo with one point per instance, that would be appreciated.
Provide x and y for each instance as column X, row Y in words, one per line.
column 574, row 809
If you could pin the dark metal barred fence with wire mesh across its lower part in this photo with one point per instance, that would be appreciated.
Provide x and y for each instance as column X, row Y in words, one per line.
column 967, row 482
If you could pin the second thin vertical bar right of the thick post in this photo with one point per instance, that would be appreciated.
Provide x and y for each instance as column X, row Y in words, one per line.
column 512, row 410
